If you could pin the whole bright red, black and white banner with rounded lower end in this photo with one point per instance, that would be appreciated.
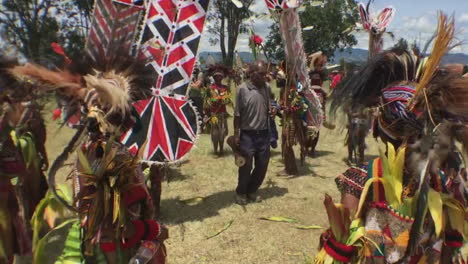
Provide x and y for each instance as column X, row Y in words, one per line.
column 169, row 43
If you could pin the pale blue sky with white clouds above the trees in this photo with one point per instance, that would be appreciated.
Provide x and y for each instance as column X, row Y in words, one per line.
column 414, row 20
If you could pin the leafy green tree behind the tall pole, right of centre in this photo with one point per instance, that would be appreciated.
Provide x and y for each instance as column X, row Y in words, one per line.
column 331, row 23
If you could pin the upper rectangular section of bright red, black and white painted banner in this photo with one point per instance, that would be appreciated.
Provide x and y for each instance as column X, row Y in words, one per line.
column 170, row 41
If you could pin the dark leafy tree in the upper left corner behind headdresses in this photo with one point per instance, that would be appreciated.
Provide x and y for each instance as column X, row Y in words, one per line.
column 32, row 25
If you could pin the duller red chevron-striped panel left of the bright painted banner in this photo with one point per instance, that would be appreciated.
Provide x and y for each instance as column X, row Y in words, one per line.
column 112, row 23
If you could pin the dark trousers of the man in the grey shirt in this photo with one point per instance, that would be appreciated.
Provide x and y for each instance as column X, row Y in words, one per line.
column 255, row 147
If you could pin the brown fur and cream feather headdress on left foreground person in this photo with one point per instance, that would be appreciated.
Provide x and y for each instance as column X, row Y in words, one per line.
column 116, row 81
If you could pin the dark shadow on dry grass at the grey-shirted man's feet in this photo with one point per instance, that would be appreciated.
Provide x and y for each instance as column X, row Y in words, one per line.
column 176, row 212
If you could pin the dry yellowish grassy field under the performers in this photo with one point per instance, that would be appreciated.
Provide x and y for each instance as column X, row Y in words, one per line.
column 248, row 239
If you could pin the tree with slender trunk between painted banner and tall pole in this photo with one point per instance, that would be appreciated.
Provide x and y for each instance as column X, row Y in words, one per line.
column 226, row 23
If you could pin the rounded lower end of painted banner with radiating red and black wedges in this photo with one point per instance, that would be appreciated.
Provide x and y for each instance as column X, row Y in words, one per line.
column 170, row 131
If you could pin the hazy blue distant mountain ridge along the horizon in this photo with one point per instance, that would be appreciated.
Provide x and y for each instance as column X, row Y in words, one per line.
column 349, row 55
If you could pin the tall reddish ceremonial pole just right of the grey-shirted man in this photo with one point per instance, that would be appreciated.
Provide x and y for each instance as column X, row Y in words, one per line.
column 286, row 14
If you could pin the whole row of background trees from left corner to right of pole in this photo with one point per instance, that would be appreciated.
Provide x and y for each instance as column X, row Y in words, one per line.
column 30, row 26
